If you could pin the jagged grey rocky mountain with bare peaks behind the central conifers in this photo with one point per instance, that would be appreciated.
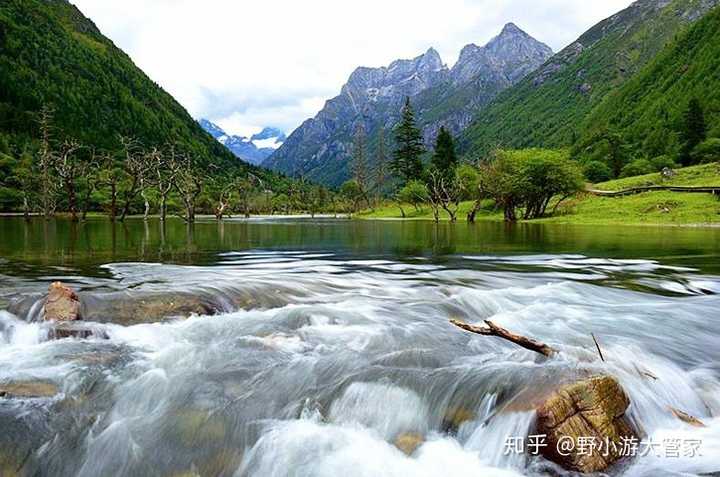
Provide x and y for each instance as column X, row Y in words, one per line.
column 320, row 148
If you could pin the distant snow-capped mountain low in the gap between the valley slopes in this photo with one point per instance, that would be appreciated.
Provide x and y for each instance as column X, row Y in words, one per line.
column 253, row 150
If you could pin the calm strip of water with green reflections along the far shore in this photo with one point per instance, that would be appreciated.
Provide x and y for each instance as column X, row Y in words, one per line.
column 97, row 241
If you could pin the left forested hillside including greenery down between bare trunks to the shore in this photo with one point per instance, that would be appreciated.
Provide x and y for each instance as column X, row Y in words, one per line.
column 55, row 59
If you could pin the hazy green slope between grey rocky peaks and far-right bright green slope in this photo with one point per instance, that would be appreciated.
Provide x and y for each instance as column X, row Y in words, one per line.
column 548, row 107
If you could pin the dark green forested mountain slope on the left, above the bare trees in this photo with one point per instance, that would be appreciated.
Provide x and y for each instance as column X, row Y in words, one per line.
column 52, row 55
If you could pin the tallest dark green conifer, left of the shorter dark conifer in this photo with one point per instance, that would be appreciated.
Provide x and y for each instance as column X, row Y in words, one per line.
column 406, row 163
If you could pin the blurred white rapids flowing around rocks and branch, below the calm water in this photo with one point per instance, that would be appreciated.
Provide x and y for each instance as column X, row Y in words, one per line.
column 349, row 354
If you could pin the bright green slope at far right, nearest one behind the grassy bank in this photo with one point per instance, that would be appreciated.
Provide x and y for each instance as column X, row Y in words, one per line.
column 648, row 110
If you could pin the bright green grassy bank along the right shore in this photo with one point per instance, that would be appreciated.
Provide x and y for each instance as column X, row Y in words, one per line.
column 650, row 208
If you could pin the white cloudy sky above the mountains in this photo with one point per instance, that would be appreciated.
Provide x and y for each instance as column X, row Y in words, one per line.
column 246, row 64
